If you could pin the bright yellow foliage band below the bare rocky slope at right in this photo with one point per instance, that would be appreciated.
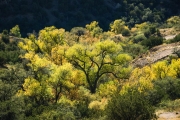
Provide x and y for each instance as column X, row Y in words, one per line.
column 143, row 77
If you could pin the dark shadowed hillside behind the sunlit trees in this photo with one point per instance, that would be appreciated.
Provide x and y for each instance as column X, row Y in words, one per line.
column 34, row 15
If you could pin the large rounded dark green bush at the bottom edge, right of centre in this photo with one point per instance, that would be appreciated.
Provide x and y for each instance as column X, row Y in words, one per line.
column 129, row 106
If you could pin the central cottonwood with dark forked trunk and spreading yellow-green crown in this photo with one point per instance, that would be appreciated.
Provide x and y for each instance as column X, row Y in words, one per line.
column 99, row 59
